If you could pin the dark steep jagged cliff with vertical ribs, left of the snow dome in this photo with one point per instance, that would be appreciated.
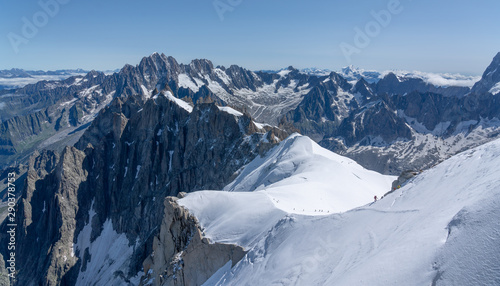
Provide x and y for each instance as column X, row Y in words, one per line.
column 110, row 187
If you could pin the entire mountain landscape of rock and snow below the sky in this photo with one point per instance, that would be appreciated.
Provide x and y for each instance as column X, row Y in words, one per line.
column 118, row 176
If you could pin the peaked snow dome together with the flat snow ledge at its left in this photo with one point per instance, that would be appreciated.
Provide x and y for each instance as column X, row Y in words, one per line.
column 296, row 177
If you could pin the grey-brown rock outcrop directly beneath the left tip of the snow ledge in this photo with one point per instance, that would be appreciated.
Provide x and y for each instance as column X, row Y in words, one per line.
column 181, row 255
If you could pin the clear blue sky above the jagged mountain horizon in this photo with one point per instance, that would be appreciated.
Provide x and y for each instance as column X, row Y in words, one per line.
column 426, row 35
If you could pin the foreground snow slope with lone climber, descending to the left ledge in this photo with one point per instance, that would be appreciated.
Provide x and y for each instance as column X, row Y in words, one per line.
column 442, row 228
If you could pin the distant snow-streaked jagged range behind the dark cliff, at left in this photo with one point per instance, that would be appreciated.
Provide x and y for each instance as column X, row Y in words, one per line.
column 53, row 114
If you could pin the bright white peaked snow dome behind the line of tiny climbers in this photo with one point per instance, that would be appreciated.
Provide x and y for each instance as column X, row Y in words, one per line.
column 299, row 176
